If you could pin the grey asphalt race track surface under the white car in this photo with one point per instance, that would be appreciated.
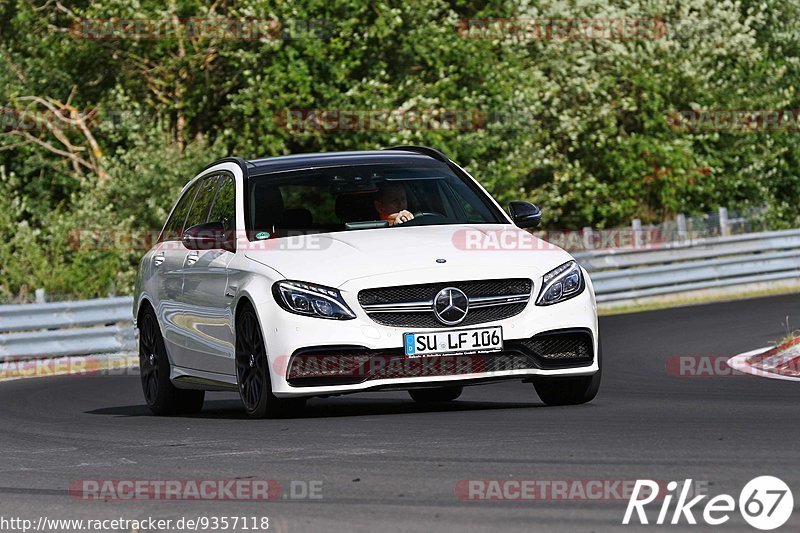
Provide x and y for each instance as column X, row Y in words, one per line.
column 387, row 464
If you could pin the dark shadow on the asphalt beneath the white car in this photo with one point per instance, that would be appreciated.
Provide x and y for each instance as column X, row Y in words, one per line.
column 327, row 408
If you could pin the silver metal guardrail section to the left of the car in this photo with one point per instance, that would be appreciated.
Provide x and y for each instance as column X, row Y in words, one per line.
column 66, row 328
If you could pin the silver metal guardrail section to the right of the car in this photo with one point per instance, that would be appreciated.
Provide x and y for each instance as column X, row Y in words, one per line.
column 694, row 265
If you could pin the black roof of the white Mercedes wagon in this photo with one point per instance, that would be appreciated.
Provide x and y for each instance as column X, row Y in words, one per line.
column 418, row 155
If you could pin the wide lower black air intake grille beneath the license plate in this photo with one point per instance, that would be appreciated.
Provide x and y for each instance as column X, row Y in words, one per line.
column 348, row 365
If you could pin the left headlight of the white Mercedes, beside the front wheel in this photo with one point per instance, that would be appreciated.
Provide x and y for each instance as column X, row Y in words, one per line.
column 311, row 300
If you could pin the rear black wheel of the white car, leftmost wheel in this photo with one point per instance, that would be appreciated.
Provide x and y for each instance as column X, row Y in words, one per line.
column 162, row 397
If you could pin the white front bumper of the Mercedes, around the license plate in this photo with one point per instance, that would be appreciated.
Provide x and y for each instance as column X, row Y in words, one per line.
column 311, row 356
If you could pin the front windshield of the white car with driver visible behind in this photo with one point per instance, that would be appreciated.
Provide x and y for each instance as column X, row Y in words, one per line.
column 362, row 197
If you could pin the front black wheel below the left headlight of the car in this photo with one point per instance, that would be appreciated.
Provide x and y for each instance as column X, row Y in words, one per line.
column 252, row 372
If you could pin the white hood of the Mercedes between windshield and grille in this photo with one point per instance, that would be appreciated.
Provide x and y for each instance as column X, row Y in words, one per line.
column 474, row 252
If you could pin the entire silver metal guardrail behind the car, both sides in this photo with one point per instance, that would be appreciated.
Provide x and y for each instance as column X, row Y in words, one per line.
column 104, row 325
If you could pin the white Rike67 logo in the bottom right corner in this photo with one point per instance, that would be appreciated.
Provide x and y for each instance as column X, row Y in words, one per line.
column 765, row 503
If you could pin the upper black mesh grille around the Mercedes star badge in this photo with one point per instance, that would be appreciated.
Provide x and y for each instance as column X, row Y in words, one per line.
column 426, row 292
